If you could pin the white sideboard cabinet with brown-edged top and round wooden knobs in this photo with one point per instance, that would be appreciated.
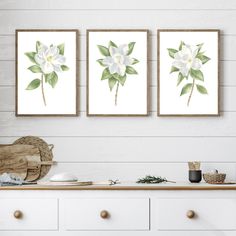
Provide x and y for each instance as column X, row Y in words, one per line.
column 132, row 210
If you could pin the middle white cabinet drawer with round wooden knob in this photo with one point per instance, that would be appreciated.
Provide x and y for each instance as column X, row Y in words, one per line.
column 107, row 214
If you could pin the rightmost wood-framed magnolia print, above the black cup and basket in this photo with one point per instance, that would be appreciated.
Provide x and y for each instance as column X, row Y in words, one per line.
column 188, row 72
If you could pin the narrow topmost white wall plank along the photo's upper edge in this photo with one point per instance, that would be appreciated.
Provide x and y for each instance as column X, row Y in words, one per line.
column 117, row 4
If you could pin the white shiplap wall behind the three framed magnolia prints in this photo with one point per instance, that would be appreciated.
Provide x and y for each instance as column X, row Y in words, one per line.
column 125, row 148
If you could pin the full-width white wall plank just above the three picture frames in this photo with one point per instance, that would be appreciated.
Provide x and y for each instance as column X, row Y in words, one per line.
column 85, row 19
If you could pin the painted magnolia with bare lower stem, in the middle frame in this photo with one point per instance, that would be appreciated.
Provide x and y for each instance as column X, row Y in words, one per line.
column 118, row 64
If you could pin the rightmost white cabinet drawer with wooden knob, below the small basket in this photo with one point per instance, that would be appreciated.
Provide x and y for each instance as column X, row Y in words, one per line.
column 196, row 214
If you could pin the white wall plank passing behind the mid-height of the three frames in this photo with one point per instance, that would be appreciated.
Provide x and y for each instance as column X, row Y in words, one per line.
column 7, row 73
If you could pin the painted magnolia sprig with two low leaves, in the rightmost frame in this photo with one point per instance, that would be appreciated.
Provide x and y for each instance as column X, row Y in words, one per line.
column 188, row 60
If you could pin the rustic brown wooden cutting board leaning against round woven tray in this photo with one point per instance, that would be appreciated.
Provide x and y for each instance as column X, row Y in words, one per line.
column 20, row 160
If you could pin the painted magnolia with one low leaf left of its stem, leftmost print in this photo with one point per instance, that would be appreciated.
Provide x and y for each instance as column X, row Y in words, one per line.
column 47, row 61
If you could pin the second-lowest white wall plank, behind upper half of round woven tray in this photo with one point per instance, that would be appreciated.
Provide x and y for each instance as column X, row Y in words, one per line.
column 140, row 149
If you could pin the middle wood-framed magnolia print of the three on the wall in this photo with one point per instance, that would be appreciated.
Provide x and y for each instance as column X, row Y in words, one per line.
column 117, row 73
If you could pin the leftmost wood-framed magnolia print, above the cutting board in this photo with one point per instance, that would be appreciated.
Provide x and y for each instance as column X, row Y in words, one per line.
column 46, row 72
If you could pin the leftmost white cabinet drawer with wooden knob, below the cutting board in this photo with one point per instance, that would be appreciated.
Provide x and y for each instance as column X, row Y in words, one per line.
column 28, row 214
